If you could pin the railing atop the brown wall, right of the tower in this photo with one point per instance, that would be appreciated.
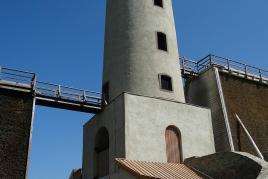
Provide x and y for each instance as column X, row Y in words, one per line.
column 223, row 63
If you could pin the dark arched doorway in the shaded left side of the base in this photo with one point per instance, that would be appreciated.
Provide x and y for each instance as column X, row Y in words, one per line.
column 101, row 153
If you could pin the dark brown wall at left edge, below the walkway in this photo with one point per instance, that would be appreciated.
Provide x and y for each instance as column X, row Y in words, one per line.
column 15, row 132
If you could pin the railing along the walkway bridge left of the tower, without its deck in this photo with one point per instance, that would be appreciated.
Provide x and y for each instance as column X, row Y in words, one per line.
column 28, row 80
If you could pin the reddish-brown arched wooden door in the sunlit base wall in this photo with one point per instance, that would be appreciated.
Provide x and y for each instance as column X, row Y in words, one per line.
column 173, row 145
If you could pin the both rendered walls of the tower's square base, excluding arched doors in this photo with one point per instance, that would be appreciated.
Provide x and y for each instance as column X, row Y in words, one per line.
column 137, row 125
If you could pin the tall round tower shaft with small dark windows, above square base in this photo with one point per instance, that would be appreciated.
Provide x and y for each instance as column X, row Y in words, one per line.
column 141, row 52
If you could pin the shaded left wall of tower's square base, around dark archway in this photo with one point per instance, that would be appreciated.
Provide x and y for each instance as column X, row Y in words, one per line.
column 112, row 118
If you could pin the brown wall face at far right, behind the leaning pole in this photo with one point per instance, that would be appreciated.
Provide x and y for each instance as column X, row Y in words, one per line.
column 249, row 99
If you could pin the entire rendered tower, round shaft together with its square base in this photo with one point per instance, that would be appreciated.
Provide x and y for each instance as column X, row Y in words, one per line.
column 144, row 115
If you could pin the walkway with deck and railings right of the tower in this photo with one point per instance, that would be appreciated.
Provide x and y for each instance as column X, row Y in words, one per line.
column 192, row 68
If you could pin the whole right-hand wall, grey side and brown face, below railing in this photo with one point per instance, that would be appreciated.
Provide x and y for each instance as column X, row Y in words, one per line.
column 247, row 98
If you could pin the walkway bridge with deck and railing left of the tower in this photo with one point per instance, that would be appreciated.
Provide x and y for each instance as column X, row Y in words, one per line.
column 49, row 94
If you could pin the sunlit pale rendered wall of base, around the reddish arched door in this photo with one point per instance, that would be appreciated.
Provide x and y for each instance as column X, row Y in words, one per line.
column 146, row 122
